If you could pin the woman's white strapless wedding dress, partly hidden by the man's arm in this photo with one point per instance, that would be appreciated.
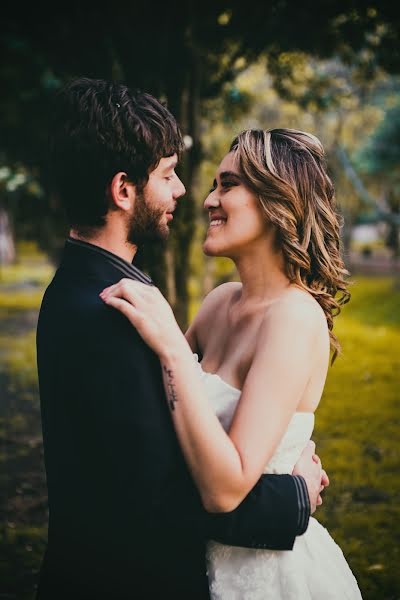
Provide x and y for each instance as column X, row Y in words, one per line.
column 314, row 570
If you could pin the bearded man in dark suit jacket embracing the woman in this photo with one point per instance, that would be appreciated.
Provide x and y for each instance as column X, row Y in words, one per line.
column 125, row 519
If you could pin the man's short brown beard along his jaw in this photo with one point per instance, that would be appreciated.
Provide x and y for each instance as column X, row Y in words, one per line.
column 146, row 224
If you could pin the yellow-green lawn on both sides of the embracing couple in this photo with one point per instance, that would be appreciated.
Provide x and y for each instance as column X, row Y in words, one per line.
column 357, row 431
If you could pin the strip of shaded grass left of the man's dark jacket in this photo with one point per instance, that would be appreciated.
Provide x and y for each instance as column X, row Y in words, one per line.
column 23, row 523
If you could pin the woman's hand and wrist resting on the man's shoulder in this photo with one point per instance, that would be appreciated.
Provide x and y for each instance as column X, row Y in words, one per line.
column 148, row 311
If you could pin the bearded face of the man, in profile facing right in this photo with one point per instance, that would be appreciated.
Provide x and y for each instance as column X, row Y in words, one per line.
column 156, row 203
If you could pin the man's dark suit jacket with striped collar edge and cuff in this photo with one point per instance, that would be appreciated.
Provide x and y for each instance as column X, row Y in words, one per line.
column 125, row 519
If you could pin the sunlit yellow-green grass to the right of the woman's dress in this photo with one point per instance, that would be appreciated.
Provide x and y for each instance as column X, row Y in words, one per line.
column 356, row 432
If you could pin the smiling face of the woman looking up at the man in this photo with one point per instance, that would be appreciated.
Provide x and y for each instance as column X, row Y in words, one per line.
column 236, row 220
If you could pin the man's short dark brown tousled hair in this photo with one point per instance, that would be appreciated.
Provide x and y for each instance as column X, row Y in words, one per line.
column 99, row 128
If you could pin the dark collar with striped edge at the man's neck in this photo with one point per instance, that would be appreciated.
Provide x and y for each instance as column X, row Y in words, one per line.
column 83, row 256
